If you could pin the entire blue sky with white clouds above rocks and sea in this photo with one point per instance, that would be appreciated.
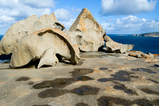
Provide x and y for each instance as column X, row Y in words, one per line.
column 115, row 16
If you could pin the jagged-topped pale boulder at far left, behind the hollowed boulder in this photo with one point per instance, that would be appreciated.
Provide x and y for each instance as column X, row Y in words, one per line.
column 25, row 27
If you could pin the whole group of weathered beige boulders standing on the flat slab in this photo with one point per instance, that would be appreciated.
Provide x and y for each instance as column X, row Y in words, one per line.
column 43, row 39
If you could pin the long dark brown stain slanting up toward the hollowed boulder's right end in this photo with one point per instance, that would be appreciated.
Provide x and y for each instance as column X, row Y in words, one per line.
column 77, row 75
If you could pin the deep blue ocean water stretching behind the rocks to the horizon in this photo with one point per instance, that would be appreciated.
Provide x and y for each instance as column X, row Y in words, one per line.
column 144, row 44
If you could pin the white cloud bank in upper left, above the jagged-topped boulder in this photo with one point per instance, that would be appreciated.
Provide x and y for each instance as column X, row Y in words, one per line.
column 15, row 10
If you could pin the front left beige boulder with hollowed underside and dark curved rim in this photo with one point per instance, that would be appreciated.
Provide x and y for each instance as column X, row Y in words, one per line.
column 43, row 45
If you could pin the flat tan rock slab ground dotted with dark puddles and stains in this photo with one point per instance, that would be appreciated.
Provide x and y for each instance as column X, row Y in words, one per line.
column 100, row 79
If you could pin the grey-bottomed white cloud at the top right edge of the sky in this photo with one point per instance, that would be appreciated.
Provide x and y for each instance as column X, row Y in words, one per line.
column 125, row 7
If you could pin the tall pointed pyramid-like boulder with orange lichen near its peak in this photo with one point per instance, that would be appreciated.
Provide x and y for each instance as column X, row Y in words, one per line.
column 86, row 32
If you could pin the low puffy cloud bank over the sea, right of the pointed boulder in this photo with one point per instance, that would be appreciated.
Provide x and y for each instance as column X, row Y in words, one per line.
column 131, row 25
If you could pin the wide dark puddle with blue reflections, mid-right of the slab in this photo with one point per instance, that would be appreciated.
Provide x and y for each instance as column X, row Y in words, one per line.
column 119, row 76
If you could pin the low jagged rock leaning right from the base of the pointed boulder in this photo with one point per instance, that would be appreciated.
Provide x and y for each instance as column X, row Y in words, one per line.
column 113, row 46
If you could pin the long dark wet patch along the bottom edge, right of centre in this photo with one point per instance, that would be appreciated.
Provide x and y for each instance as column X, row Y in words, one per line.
column 111, row 101
